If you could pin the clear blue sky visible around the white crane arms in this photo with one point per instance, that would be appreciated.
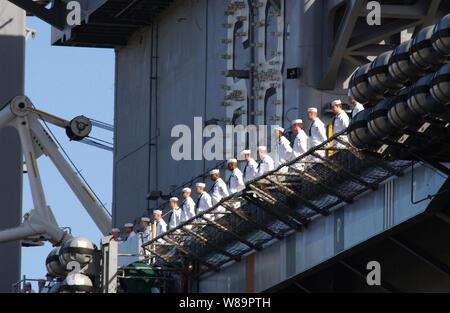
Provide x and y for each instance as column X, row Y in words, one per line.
column 68, row 82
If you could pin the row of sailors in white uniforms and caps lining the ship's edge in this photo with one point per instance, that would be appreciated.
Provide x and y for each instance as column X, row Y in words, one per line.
column 220, row 189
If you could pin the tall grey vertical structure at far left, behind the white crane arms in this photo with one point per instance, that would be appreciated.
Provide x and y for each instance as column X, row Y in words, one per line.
column 12, row 60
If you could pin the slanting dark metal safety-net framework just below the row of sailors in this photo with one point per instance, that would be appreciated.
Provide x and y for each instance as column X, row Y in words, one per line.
column 273, row 205
